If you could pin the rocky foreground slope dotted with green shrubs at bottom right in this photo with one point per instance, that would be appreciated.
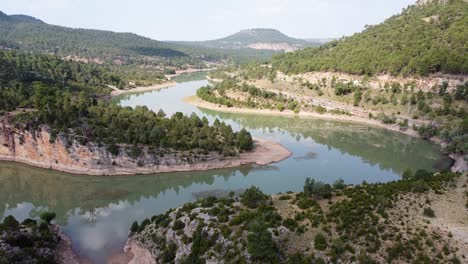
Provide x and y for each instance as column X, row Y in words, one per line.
column 326, row 223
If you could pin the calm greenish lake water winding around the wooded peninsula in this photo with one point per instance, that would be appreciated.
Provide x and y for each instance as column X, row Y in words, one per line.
column 96, row 212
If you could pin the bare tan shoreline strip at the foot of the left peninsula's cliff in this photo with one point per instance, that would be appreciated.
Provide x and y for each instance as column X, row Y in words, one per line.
column 264, row 152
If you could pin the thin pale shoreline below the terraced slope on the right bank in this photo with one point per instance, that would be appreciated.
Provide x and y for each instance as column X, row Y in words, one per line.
column 459, row 164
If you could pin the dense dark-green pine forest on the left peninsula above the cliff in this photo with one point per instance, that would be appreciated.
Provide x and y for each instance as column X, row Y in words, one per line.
column 67, row 97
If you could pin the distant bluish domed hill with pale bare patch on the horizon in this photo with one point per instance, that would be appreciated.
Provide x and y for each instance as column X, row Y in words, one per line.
column 259, row 39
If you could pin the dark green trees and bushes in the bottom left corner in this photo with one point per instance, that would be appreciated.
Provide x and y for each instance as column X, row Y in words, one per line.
column 29, row 241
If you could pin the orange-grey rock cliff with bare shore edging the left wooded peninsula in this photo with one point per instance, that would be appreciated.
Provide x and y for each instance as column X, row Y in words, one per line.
column 37, row 148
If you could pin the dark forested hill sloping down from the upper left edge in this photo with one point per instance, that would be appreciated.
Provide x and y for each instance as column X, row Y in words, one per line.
column 32, row 35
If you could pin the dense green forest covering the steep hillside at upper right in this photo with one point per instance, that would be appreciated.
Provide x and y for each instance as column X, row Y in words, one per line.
column 421, row 40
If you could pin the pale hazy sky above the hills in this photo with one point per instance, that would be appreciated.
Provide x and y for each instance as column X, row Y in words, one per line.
column 210, row 19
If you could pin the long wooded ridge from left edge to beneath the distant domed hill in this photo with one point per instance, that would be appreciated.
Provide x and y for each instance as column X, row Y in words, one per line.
column 28, row 34
